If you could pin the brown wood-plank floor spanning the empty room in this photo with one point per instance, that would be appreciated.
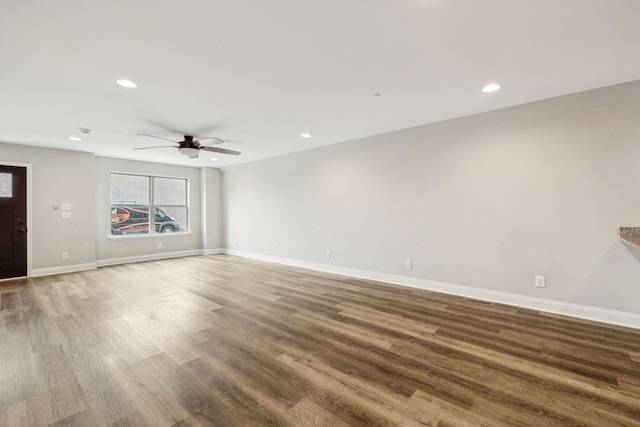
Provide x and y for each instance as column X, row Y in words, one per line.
column 225, row 341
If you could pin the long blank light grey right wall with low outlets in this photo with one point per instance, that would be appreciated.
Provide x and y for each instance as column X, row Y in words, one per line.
column 487, row 201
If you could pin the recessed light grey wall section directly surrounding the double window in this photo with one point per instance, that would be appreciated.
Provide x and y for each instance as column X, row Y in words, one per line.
column 109, row 250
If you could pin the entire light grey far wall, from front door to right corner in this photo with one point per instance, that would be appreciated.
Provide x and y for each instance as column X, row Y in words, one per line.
column 83, row 180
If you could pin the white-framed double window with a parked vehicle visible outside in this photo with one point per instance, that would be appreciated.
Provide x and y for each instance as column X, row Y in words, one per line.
column 134, row 196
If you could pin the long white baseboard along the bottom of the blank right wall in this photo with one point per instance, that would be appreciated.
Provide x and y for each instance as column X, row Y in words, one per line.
column 613, row 317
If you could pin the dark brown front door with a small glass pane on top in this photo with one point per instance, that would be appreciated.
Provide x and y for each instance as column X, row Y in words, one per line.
column 13, row 221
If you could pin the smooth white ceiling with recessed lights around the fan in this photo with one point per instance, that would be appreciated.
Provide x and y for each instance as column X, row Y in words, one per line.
column 259, row 73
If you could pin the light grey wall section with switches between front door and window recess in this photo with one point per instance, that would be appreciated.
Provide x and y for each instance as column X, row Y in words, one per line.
column 58, row 176
